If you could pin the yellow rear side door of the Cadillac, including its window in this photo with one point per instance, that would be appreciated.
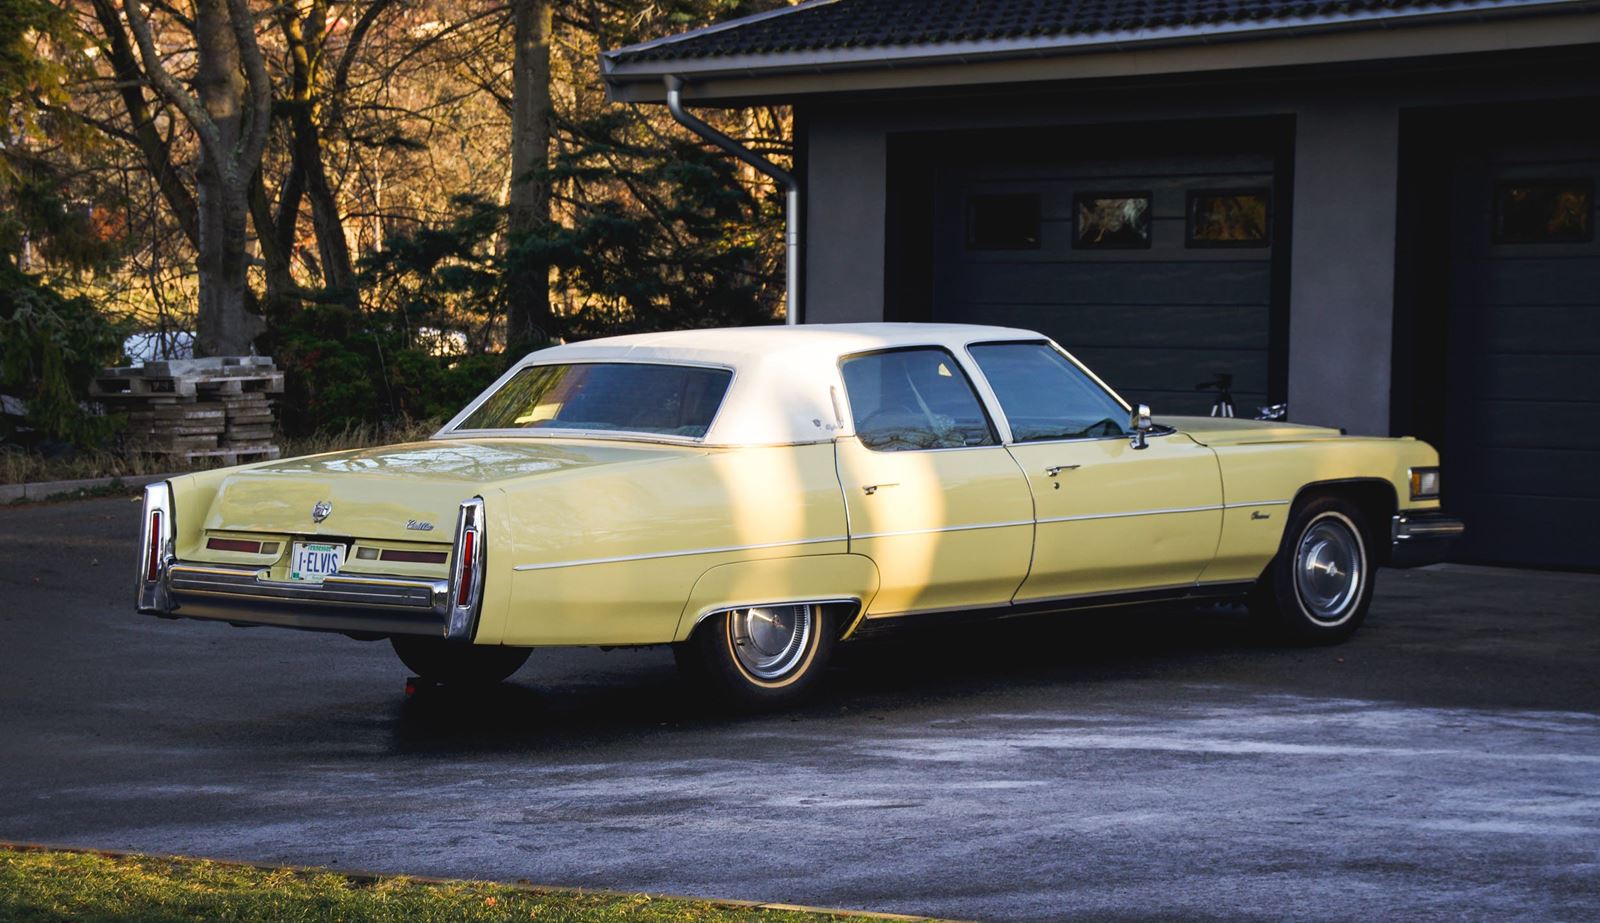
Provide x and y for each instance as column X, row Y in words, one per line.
column 932, row 495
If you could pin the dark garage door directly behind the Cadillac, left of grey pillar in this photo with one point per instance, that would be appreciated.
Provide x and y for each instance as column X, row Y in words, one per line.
column 1158, row 271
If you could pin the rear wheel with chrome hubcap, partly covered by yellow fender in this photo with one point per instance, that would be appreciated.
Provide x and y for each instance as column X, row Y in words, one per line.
column 761, row 657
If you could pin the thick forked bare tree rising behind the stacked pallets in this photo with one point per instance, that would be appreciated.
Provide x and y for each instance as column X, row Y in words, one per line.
column 231, row 113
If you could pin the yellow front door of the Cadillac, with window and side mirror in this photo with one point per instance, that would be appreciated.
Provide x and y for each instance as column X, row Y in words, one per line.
column 1110, row 517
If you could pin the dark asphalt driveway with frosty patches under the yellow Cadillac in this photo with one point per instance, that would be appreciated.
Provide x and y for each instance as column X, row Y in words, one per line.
column 1122, row 765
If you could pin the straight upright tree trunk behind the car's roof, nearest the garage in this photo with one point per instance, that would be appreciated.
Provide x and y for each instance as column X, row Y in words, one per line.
column 529, row 282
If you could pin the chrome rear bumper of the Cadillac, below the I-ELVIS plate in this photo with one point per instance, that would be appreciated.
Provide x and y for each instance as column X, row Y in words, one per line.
column 342, row 604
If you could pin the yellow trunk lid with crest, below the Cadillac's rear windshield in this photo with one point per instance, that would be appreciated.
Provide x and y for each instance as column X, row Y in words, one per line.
column 409, row 492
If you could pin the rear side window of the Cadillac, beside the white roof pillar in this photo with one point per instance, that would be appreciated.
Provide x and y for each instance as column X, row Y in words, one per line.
column 914, row 399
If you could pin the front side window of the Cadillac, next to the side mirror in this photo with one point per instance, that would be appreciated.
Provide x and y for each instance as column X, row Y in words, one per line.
column 1046, row 398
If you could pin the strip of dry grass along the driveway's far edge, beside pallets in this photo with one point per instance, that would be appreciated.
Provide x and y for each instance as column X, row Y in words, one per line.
column 28, row 468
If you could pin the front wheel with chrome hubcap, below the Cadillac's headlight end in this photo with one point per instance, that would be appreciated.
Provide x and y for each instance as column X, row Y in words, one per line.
column 1321, row 585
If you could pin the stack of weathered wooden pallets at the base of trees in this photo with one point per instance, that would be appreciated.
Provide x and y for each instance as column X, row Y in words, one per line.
column 198, row 409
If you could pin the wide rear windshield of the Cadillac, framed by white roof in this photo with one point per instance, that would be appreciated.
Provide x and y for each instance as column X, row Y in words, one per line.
column 607, row 396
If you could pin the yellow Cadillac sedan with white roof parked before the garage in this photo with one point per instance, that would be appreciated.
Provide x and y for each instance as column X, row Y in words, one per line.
column 758, row 497
